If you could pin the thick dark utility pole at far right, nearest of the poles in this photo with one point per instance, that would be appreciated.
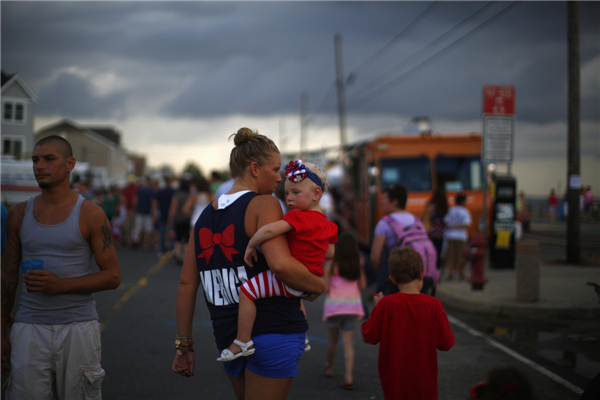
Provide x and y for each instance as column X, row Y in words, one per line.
column 573, row 146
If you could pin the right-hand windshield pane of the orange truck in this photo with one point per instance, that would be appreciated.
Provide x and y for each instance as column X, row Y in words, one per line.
column 455, row 173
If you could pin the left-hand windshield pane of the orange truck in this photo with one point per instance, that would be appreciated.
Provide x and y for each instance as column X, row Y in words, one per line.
column 413, row 173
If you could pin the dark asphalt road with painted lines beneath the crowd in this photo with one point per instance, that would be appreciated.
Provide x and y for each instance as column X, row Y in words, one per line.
column 139, row 329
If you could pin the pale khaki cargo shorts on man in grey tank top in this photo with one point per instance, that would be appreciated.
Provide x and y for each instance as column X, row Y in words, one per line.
column 55, row 361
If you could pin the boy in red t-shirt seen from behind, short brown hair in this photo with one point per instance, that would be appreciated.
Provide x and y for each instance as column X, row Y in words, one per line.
column 409, row 326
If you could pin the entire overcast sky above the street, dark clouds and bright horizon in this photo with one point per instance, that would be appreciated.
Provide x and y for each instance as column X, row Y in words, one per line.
column 177, row 78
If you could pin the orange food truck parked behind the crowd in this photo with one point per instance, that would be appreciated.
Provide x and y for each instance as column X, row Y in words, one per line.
column 421, row 163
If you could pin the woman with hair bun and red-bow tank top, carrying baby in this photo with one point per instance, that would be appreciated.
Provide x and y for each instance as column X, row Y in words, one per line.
column 215, row 257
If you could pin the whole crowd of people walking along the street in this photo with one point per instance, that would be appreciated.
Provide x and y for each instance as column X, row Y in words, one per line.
column 242, row 239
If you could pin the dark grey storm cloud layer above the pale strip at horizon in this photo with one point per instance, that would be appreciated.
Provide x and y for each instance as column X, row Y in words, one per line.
column 257, row 58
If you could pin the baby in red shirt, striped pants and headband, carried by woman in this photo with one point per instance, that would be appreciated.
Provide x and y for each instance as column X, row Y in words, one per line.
column 311, row 238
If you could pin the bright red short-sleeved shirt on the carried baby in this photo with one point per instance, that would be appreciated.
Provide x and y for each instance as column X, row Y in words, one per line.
column 310, row 238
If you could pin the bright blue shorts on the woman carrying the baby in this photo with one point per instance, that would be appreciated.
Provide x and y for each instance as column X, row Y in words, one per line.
column 277, row 356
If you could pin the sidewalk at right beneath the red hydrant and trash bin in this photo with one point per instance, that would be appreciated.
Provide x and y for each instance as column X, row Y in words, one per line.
column 564, row 293
